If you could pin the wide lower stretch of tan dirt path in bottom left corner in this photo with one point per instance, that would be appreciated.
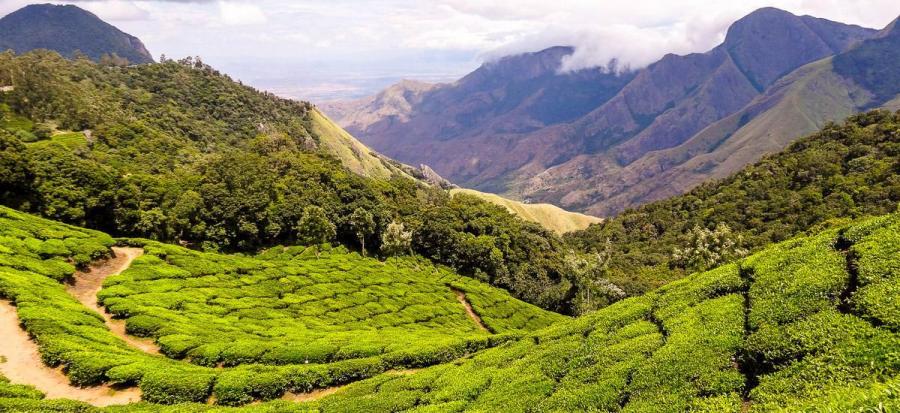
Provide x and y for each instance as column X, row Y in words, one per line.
column 23, row 365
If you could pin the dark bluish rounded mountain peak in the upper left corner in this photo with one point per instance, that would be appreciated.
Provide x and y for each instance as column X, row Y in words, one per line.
column 66, row 29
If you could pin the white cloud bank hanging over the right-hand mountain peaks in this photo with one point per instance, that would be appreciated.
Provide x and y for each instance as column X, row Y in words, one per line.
column 639, row 33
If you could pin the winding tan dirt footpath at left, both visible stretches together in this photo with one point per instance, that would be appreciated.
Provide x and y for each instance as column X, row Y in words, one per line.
column 21, row 359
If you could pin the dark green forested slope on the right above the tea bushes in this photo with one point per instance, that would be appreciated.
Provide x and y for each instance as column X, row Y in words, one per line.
column 844, row 171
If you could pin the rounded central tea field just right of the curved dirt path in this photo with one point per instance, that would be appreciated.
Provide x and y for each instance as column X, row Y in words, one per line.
column 288, row 306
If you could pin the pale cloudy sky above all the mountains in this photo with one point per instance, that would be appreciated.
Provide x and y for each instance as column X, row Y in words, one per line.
column 328, row 49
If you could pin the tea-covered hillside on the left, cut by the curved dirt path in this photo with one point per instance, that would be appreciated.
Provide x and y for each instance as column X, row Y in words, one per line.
column 242, row 328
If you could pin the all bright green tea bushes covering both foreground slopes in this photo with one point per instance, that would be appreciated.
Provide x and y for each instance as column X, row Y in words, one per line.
column 811, row 324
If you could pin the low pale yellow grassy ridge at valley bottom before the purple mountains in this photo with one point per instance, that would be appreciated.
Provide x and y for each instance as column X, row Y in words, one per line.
column 551, row 217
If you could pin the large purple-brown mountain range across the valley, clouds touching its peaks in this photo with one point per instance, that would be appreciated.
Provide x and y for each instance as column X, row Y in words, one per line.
column 624, row 138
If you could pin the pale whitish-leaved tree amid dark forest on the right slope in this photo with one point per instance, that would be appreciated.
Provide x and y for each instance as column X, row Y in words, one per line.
column 709, row 248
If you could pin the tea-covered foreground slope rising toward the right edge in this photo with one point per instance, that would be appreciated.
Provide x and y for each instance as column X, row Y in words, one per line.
column 807, row 325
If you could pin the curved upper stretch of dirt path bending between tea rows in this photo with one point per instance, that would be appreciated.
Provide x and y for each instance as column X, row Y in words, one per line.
column 88, row 284
